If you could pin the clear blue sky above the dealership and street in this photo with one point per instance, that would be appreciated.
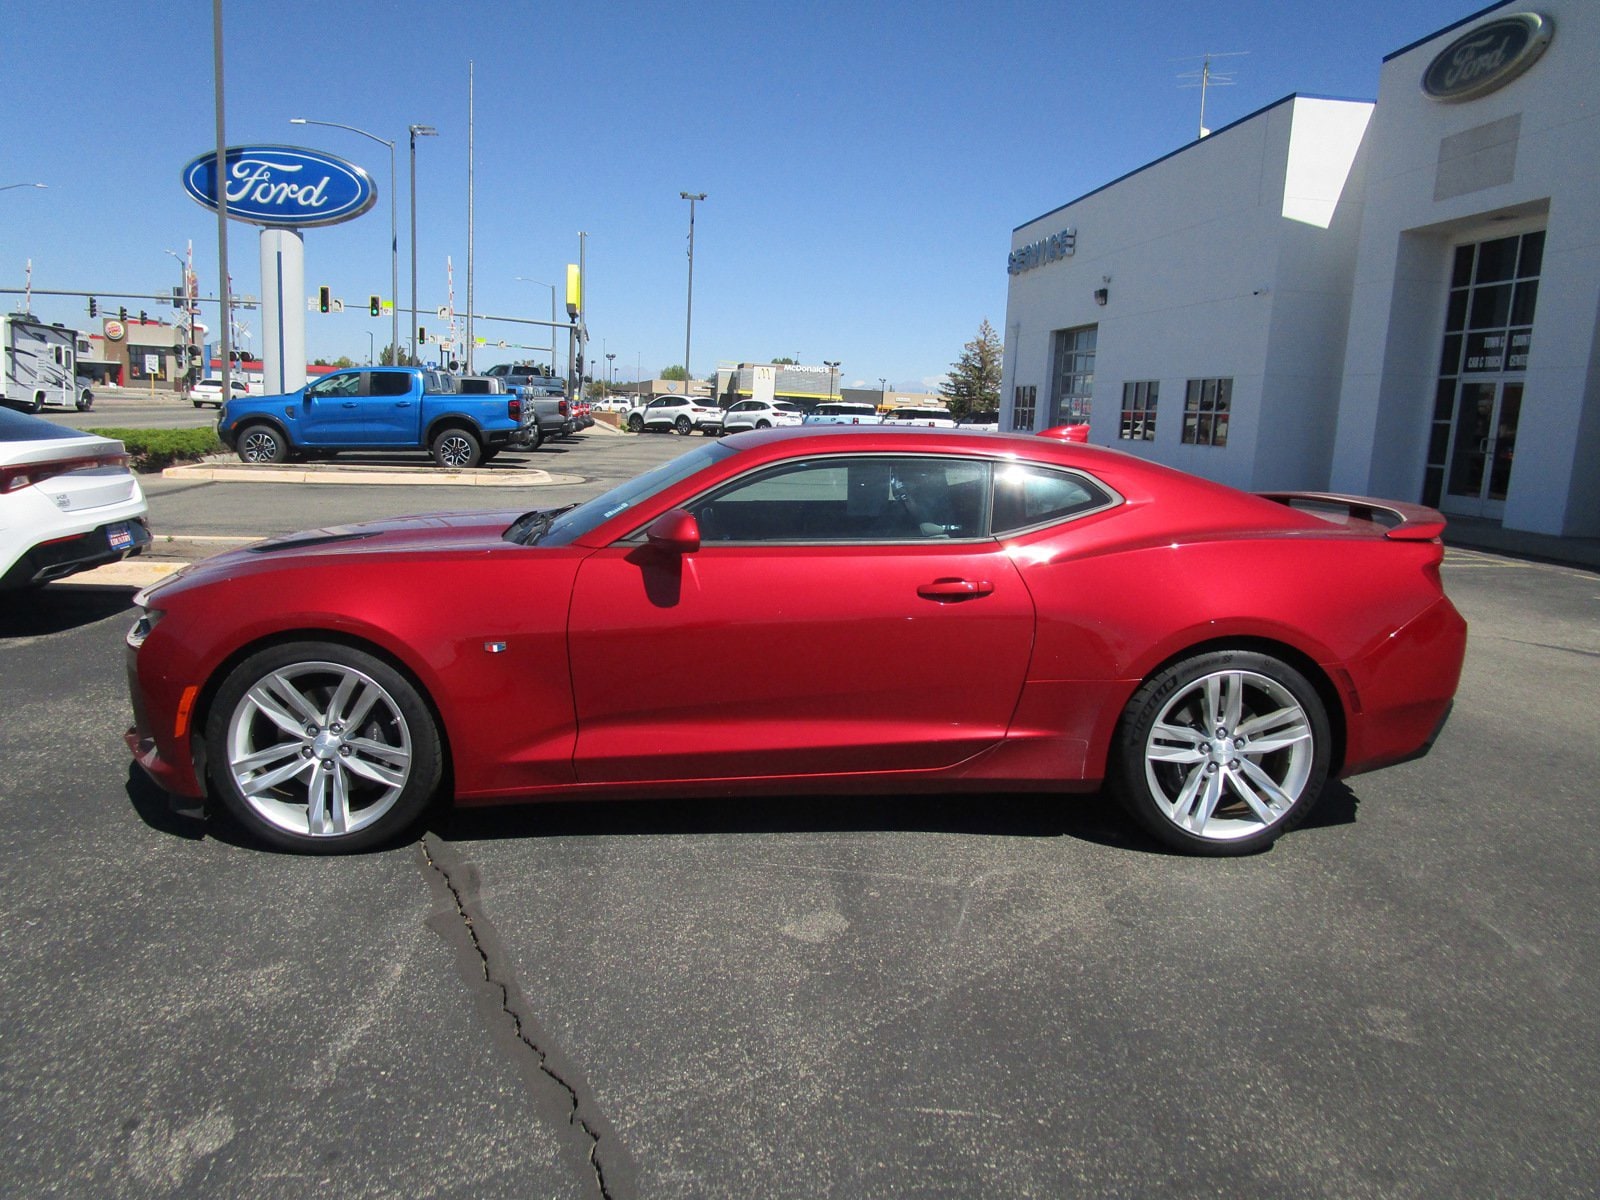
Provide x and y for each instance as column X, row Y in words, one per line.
column 865, row 164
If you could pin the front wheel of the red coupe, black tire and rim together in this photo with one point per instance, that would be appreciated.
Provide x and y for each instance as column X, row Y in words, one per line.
column 324, row 790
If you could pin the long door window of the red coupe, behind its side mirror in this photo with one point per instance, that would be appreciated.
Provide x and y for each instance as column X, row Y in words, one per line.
column 863, row 500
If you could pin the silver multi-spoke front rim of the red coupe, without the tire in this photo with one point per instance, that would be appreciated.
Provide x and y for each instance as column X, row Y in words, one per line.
column 319, row 750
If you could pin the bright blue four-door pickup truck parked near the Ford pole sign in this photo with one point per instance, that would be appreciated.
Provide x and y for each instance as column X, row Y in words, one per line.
column 378, row 409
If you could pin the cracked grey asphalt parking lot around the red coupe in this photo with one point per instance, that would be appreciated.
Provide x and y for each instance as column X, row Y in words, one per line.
column 945, row 998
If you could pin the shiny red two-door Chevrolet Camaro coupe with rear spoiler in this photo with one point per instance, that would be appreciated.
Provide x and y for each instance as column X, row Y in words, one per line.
column 812, row 610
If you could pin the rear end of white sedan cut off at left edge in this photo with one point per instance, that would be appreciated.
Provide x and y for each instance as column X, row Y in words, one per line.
column 68, row 503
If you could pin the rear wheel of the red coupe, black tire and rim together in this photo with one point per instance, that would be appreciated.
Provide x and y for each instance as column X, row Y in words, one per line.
column 1186, row 761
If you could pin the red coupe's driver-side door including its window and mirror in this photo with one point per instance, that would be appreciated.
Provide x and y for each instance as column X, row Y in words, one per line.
column 822, row 628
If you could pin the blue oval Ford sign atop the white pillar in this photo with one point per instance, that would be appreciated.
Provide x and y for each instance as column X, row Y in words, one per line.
column 284, row 186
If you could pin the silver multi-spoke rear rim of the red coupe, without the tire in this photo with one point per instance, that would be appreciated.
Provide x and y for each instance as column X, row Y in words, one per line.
column 1230, row 756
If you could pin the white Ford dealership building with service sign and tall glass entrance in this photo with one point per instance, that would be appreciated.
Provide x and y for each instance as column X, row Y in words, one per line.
column 1394, row 298
